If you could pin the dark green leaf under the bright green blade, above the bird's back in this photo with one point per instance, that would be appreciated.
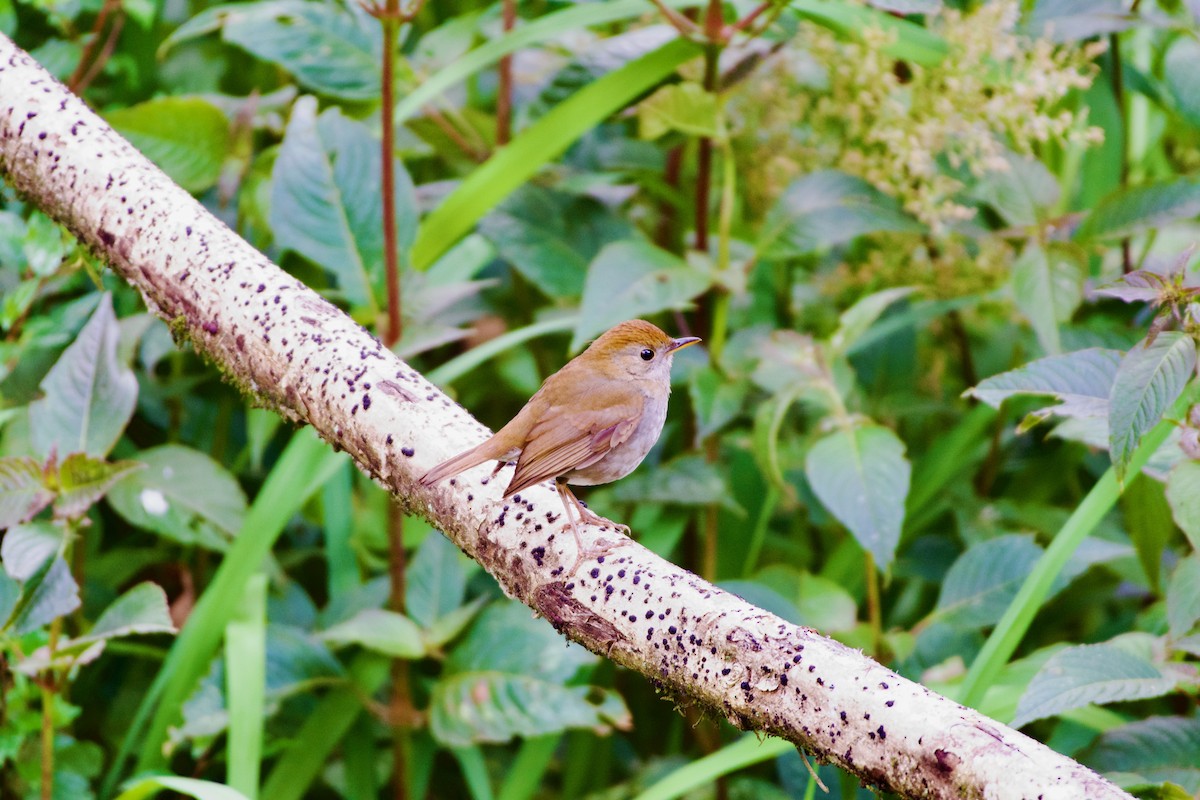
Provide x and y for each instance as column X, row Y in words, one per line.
column 551, row 237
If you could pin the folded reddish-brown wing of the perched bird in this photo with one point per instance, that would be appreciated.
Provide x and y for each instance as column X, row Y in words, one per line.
column 568, row 438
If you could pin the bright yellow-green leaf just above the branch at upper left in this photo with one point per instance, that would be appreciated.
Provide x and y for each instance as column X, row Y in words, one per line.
column 188, row 137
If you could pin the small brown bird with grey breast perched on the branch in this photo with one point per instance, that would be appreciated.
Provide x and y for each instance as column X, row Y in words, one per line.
column 592, row 423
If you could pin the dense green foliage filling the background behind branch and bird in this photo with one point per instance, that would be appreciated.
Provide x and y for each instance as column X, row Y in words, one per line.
column 884, row 219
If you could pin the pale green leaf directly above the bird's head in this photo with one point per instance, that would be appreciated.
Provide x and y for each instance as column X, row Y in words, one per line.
column 634, row 279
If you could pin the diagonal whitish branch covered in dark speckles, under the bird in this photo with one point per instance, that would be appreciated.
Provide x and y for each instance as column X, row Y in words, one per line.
column 279, row 340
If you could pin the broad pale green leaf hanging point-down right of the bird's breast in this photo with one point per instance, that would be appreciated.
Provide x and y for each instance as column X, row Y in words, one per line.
column 862, row 477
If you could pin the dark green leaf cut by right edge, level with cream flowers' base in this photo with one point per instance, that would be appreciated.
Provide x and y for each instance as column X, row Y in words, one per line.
column 1131, row 212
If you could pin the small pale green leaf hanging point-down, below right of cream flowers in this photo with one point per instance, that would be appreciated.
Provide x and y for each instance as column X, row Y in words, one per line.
column 1048, row 288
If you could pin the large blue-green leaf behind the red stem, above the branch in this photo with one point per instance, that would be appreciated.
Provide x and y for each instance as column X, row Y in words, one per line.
column 327, row 200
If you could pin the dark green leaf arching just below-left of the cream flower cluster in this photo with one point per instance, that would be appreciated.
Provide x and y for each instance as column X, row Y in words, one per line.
column 829, row 208
